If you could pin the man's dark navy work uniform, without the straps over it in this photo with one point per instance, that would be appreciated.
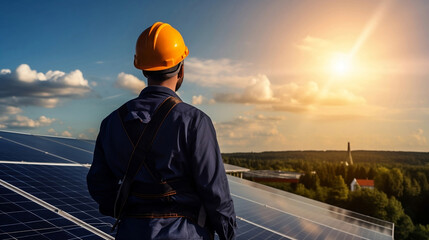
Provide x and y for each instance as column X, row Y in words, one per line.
column 185, row 147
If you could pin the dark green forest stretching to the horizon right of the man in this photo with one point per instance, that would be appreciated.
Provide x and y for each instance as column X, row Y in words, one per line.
column 401, row 193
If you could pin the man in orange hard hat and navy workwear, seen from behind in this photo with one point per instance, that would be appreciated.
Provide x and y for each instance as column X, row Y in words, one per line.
column 179, row 189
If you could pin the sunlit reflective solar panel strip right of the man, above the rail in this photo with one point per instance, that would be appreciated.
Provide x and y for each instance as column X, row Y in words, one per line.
column 285, row 207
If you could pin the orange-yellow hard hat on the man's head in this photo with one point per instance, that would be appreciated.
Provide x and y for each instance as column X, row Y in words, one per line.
column 159, row 47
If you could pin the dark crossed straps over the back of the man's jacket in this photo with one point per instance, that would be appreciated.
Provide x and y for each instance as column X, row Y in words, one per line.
column 138, row 157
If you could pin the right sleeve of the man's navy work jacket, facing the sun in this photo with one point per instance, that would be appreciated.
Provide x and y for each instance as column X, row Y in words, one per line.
column 211, row 181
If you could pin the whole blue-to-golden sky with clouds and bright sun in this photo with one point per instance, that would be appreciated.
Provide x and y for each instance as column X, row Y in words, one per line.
column 272, row 75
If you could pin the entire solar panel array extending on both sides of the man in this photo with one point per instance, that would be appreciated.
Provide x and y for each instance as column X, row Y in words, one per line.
column 43, row 195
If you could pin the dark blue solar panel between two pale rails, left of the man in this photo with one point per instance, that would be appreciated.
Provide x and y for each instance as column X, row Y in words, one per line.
column 61, row 186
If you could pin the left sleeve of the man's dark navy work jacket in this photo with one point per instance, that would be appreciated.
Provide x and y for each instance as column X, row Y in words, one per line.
column 102, row 183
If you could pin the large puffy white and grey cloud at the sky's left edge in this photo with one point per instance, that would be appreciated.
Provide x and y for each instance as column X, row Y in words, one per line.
column 27, row 87
